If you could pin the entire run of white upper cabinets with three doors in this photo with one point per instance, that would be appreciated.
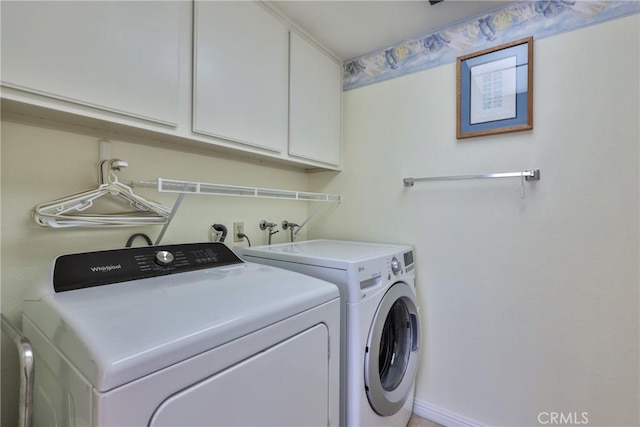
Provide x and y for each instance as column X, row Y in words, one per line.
column 231, row 76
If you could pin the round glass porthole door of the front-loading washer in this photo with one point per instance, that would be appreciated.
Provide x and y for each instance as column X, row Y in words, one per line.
column 391, row 358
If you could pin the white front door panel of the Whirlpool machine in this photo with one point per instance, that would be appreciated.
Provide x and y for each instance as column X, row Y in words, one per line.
column 284, row 385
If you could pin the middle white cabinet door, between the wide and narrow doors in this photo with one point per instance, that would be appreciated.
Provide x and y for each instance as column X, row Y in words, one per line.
column 240, row 74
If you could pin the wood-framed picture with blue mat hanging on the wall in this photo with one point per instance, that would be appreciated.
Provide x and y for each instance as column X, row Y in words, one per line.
column 495, row 90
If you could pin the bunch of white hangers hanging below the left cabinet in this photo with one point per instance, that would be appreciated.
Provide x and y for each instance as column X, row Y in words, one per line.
column 70, row 210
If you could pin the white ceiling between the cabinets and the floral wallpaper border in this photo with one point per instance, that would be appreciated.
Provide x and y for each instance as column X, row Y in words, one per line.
column 357, row 27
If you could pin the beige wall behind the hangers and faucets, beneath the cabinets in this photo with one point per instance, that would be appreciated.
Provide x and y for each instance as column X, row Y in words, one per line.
column 40, row 165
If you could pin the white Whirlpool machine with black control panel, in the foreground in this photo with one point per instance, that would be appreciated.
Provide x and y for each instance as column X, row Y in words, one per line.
column 182, row 335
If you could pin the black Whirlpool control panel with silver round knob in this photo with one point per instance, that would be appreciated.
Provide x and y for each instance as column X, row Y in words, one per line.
column 84, row 270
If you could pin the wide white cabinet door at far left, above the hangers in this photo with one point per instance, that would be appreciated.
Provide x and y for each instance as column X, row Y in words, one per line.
column 113, row 55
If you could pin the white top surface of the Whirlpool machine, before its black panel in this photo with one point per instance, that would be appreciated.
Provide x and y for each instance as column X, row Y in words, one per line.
column 117, row 333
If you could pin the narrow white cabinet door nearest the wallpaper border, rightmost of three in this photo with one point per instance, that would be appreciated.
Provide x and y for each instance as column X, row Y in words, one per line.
column 315, row 103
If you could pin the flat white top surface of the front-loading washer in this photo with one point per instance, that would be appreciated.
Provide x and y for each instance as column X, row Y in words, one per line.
column 325, row 253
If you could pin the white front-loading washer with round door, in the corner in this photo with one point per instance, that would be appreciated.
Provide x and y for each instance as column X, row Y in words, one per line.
column 381, row 324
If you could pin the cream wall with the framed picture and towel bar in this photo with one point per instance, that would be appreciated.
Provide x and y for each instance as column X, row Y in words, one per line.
column 529, row 304
